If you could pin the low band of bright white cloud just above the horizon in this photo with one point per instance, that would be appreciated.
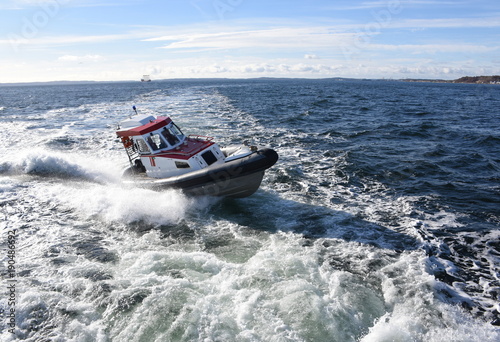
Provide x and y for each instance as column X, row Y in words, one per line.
column 92, row 67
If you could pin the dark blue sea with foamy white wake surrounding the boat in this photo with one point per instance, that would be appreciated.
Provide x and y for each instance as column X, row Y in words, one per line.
column 380, row 221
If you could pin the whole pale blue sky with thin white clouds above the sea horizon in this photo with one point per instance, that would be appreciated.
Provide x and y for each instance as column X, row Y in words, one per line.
column 112, row 40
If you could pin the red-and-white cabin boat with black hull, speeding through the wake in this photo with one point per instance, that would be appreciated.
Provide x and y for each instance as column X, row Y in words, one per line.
column 162, row 157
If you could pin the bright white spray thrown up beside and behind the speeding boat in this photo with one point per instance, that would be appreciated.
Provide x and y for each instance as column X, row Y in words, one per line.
column 92, row 187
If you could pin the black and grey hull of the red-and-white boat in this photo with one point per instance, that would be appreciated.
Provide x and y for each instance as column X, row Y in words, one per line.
column 236, row 178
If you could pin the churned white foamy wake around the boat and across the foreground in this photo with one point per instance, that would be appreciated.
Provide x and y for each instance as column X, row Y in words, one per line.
column 250, row 284
